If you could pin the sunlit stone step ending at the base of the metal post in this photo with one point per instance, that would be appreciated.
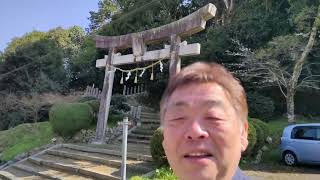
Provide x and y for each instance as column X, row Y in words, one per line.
column 85, row 168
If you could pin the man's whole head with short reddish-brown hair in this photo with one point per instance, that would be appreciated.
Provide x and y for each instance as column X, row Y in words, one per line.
column 204, row 119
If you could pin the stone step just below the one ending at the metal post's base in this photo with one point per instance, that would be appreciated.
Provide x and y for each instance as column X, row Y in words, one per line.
column 47, row 172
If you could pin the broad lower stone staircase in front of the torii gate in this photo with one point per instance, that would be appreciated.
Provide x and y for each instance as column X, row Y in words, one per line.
column 70, row 161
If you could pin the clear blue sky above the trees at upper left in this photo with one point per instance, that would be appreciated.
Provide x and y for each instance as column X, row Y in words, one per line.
column 18, row 17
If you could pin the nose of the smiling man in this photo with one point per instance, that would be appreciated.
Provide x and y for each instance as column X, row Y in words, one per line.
column 196, row 131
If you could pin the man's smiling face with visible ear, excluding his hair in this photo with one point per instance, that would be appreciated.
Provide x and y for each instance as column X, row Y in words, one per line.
column 203, row 136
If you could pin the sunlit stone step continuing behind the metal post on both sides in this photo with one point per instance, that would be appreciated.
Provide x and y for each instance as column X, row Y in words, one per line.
column 138, row 166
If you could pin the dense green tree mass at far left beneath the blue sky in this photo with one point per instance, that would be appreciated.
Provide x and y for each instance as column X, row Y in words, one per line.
column 39, row 61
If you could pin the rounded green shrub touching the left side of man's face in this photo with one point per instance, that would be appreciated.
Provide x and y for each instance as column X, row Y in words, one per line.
column 157, row 151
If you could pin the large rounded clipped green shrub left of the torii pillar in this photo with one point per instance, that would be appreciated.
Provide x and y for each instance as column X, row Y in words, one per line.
column 68, row 118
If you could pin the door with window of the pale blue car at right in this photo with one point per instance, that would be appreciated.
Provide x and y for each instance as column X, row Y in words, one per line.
column 304, row 141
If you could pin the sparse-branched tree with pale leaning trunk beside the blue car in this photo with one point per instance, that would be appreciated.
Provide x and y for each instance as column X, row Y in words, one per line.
column 286, row 60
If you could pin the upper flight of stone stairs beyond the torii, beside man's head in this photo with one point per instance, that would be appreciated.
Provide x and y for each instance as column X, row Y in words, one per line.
column 141, row 134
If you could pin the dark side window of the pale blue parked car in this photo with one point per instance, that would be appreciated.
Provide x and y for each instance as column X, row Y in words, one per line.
column 305, row 132
